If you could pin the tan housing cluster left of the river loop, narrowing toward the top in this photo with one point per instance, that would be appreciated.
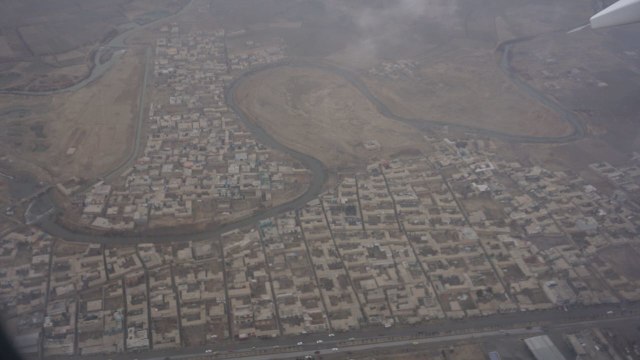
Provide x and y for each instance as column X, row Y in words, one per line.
column 199, row 164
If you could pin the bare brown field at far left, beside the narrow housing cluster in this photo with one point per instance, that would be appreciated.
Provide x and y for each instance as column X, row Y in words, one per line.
column 98, row 120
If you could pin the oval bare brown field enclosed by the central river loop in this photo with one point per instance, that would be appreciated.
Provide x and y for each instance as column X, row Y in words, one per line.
column 319, row 113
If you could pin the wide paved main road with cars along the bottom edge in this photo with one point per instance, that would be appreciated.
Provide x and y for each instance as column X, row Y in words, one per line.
column 519, row 323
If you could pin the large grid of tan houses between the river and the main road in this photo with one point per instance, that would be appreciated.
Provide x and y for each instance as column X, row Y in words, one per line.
column 457, row 233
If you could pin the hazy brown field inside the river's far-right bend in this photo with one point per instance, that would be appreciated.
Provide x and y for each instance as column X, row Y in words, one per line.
column 466, row 87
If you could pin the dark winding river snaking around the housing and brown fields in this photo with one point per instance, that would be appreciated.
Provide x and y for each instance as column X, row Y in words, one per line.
column 318, row 171
